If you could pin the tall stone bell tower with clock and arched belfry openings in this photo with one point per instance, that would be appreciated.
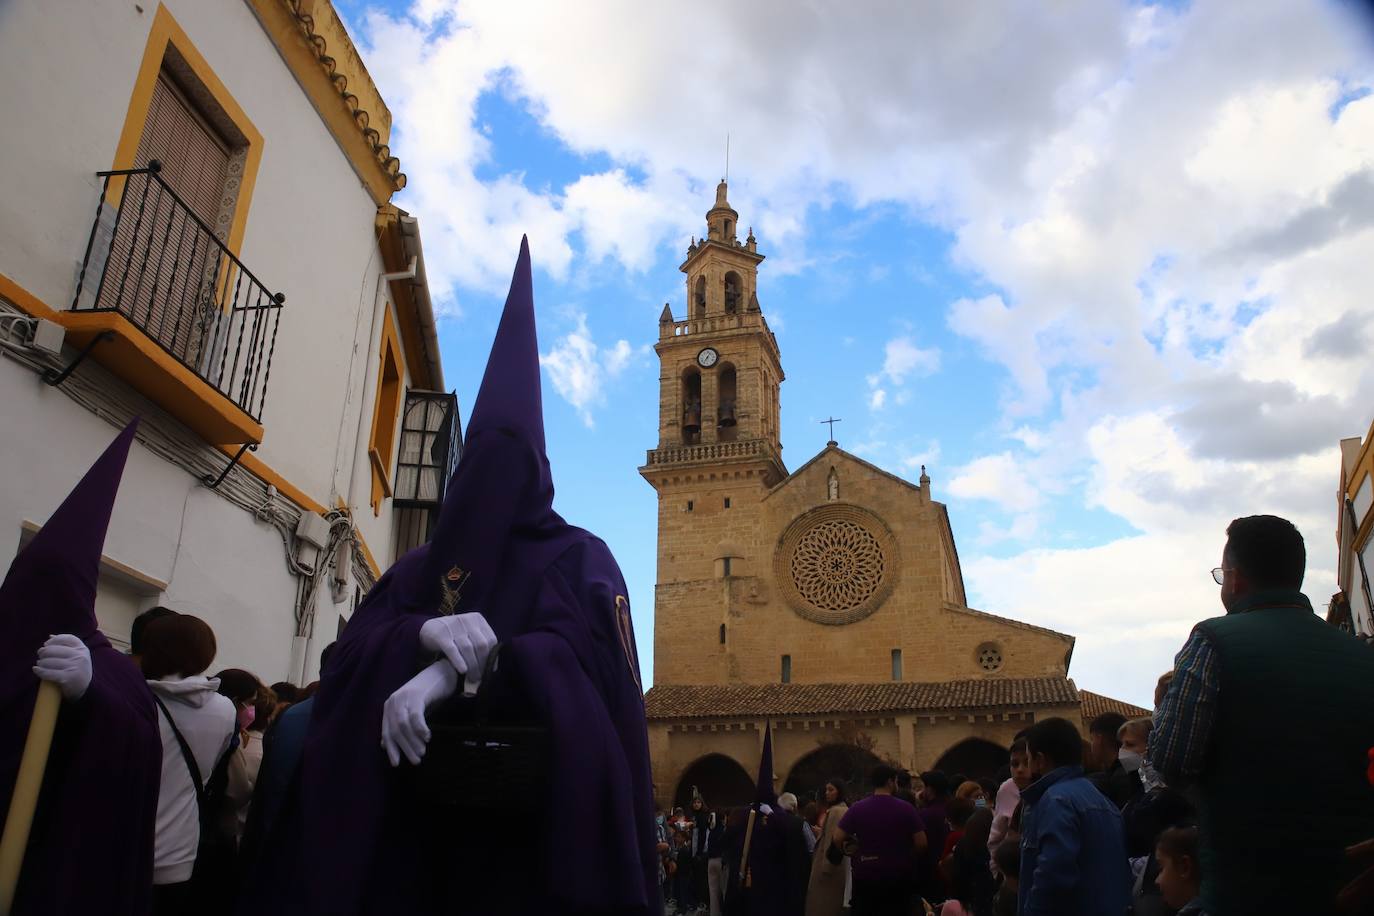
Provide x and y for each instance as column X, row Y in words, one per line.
column 719, row 448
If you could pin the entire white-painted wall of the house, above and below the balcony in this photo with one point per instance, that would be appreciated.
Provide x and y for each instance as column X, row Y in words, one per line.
column 69, row 69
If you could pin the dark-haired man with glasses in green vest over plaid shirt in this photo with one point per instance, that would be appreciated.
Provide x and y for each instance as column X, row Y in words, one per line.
column 1273, row 683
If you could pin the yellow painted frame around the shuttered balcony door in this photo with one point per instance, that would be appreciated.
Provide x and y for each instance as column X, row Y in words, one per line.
column 167, row 32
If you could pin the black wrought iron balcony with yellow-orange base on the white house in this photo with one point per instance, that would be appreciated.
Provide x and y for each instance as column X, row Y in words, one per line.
column 156, row 264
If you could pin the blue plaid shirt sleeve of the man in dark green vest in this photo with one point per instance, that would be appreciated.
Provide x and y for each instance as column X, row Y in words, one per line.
column 1184, row 722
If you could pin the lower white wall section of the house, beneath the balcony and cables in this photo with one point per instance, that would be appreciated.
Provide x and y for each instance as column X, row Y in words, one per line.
column 216, row 560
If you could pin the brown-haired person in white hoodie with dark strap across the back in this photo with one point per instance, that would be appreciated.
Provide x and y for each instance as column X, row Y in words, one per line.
column 199, row 726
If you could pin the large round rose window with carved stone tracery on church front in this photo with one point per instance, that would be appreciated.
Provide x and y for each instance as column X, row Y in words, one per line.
column 837, row 564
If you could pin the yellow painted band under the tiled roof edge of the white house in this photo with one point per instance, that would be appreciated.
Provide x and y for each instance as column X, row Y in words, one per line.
column 329, row 102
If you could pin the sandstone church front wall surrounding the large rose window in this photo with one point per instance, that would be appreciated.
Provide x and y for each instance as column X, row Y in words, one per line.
column 938, row 642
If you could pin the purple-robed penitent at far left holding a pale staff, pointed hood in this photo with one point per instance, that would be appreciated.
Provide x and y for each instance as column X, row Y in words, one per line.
column 91, row 845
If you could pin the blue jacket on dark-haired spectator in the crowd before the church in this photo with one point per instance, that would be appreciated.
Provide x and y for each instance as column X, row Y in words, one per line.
column 1072, row 849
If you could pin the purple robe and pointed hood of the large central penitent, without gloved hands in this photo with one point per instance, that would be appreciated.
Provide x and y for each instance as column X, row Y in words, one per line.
column 556, row 598
